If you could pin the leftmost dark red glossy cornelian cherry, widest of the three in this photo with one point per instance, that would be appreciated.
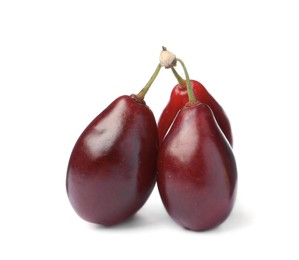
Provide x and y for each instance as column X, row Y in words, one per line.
column 112, row 168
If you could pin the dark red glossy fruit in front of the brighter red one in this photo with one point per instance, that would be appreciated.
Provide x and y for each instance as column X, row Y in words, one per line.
column 197, row 174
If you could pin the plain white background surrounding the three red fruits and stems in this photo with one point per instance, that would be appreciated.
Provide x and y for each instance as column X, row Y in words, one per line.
column 62, row 62
